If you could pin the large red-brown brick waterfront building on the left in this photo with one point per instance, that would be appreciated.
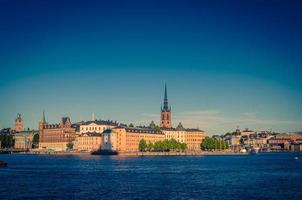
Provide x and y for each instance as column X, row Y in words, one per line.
column 57, row 136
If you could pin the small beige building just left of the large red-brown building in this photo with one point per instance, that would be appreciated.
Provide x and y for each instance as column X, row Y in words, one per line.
column 26, row 139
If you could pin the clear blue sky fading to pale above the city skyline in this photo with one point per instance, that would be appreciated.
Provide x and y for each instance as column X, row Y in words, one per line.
column 226, row 63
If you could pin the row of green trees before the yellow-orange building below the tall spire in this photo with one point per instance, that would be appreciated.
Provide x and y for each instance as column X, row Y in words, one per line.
column 165, row 145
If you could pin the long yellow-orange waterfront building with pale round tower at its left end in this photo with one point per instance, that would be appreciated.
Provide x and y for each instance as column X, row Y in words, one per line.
column 127, row 138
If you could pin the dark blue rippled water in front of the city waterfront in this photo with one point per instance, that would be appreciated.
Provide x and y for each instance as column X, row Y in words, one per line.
column 263, row 176
